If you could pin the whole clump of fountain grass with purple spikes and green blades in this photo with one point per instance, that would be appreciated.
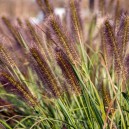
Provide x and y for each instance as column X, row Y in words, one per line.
column 53, row 78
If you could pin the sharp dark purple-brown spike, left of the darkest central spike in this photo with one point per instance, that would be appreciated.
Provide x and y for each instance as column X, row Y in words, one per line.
column 47, row 75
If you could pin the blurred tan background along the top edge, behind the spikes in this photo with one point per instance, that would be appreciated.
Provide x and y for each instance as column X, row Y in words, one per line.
column 29, row 8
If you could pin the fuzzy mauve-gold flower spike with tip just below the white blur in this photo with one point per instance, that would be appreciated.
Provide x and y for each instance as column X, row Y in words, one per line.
column 61, row 37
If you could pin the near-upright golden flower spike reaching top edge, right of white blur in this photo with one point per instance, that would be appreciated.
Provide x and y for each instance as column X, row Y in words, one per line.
column 76, row 19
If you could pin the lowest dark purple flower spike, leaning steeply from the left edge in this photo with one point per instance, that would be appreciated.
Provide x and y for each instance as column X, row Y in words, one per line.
column 13, row 86
